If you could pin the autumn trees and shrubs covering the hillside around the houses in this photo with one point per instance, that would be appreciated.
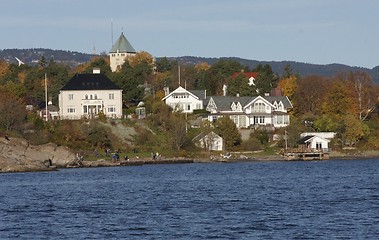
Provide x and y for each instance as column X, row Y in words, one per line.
column 346, row 103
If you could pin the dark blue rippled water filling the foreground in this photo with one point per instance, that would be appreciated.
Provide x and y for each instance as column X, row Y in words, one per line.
column 337, row 199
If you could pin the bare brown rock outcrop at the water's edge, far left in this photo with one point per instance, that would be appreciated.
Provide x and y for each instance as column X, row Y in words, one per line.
column 17, row 155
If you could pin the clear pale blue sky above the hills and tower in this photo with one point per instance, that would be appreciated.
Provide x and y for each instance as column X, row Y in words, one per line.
column 310, row 31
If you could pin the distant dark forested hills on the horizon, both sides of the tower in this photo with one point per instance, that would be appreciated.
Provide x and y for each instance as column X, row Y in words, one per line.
column 32, row 56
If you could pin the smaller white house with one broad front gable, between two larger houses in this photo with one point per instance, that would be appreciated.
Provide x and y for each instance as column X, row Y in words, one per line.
column 185, row 100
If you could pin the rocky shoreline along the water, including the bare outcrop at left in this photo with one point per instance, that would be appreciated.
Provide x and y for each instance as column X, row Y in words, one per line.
column 17, row 155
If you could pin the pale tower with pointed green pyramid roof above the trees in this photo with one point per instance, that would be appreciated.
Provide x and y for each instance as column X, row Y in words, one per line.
column 119, row 52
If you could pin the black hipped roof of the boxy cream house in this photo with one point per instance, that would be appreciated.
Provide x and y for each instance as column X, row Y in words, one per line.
column 90, row 82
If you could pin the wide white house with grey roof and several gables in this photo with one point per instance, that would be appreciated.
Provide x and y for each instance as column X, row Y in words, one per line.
column 251, row 111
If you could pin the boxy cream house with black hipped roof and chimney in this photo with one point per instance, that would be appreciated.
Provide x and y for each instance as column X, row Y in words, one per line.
column 87, row 95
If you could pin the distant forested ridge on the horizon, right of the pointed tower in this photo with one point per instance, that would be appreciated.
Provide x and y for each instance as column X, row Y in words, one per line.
column 303, row 69
